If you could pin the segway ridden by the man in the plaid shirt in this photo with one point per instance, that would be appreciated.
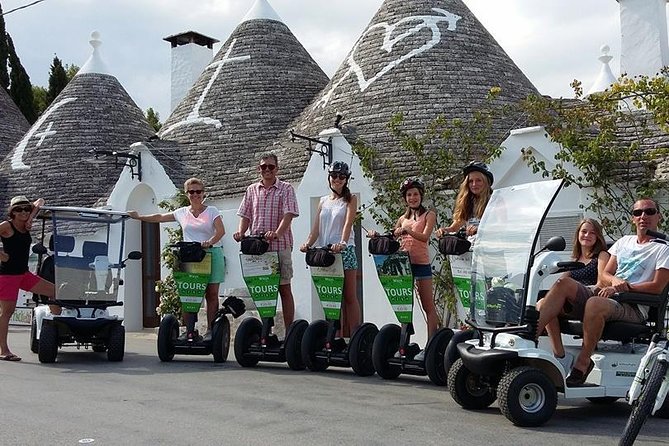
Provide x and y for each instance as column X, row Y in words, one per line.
column 254, row 340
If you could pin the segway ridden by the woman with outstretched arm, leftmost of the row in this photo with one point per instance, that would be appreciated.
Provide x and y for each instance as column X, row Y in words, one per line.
column 191, row 274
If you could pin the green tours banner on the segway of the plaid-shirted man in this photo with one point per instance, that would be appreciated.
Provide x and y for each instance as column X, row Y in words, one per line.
column 262, row 277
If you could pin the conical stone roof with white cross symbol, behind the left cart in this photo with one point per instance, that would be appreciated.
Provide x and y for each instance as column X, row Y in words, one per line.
column 52, row 160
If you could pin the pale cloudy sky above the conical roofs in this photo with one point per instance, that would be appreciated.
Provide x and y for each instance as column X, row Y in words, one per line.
column 552, row 41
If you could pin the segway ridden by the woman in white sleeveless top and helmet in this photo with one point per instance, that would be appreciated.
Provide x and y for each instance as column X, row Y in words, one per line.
column 321, row 347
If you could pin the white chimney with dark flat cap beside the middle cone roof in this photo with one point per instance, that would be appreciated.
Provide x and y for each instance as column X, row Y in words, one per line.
column 191, row 53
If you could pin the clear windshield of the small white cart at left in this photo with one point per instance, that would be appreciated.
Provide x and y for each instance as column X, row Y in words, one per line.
column 87, row 252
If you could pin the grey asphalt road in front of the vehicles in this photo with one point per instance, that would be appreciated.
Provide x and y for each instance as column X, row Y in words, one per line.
column 83, row 399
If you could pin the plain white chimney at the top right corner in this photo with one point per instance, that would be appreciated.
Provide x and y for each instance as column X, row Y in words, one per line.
column 644, row 48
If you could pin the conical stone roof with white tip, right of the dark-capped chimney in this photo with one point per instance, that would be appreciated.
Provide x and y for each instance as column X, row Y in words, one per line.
column 260, row 80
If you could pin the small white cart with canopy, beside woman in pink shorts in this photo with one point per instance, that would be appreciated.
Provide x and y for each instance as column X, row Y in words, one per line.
column 85, row 265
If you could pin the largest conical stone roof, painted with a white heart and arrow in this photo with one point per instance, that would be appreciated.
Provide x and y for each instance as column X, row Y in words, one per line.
column 420, row 58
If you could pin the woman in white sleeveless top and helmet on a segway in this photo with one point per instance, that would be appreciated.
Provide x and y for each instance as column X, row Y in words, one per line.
column 333, row 226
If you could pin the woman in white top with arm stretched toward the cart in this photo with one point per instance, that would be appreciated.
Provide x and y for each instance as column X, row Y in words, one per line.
column 199, row 223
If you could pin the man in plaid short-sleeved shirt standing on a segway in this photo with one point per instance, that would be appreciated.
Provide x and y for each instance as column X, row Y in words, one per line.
column 268, row 208
